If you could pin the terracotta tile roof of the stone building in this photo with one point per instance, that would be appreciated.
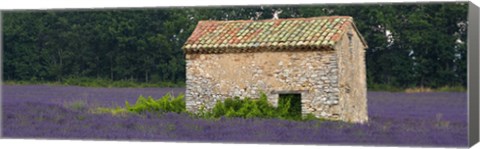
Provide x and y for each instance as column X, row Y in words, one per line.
column 249, row 35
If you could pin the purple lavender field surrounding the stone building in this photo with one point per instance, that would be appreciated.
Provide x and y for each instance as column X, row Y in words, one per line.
column 61, row 112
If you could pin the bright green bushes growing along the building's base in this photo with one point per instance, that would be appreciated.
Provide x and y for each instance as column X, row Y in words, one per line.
column 229, row 108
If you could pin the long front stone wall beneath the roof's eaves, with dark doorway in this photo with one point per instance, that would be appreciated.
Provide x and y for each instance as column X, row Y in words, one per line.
column 314, row 74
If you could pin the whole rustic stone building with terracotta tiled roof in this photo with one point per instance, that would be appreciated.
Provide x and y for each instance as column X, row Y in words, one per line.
column 321, row 59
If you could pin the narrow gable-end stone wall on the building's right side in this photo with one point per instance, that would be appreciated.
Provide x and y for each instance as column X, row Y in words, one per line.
column 353, row 87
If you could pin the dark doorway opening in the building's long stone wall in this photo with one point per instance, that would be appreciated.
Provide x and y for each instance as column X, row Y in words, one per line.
column 295, row 106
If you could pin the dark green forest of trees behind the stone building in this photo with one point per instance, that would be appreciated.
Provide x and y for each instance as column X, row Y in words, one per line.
column 409, row 45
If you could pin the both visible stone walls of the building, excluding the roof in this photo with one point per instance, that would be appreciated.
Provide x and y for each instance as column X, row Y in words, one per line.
column 332, row 82
